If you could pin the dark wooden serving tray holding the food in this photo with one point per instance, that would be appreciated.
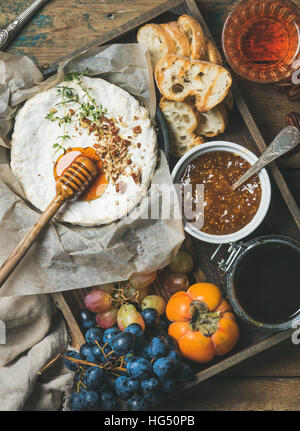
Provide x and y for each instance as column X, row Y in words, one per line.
column 283, row 217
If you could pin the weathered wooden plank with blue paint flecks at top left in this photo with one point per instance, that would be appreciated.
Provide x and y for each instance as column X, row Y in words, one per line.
column 64, row 25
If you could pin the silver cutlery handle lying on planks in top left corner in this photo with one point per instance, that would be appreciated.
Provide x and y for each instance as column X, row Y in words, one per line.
column 8, row 33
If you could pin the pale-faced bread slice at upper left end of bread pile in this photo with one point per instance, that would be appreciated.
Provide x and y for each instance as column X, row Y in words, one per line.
column 157, row 40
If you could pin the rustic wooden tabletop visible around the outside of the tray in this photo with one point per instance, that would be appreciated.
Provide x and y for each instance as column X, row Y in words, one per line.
column 271, row 380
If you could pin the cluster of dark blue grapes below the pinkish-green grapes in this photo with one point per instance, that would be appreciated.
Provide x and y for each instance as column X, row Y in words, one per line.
column 135, row 365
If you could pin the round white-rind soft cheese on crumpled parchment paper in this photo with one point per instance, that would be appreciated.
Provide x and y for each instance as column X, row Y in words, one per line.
column 33, row 156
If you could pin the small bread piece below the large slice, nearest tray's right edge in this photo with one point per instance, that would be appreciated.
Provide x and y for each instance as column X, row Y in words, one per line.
column 213, row 122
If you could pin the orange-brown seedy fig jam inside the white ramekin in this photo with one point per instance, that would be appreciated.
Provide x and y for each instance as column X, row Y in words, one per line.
column 225, row 210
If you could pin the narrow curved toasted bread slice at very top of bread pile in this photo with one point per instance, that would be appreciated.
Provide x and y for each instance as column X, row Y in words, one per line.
column 193, row 30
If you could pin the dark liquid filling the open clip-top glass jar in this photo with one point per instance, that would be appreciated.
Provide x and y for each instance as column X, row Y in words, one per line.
column 267, row 283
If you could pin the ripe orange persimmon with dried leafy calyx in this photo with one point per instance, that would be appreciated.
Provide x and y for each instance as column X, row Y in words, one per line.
column 203, row 324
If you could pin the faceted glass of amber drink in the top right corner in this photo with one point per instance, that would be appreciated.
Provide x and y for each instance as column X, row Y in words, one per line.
column 261, row 40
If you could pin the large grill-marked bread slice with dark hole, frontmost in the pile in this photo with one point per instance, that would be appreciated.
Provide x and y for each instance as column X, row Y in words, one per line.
column 179, row 77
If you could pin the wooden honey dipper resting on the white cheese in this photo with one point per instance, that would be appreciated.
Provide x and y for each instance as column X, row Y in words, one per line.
column 77, row 177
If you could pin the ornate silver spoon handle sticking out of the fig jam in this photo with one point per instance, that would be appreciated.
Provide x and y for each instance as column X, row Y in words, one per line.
column 285, row 141
